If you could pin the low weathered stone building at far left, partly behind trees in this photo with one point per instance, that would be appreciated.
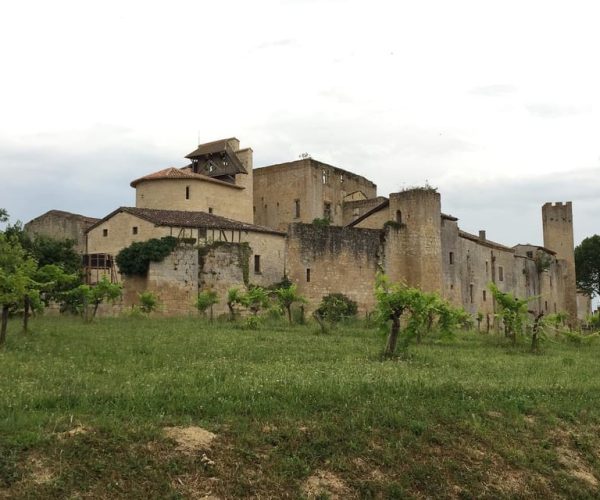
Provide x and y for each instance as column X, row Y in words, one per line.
column 61, row 225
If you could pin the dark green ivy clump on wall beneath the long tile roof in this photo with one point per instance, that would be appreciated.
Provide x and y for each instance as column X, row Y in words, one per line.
column 135, row 259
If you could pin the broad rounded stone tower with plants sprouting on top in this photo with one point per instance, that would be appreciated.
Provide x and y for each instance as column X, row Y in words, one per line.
column 414, row 253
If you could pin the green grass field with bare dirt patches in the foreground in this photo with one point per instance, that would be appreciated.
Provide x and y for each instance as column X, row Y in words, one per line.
column 83, row 410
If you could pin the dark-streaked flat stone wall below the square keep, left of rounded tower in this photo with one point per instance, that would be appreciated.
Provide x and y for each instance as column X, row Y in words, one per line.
column 339, row 260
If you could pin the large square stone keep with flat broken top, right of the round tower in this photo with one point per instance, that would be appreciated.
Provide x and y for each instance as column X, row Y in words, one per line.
column 312, row 183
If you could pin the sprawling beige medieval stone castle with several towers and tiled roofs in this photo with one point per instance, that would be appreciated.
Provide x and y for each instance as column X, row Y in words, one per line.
column 239, row 226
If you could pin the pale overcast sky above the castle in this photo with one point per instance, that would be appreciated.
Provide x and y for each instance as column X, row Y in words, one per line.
column 496, row 103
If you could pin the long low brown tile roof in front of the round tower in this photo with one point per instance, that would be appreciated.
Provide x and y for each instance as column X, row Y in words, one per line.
column 180, row 218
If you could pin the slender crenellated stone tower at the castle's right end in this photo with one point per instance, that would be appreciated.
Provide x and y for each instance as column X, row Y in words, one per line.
column 558, row 236
